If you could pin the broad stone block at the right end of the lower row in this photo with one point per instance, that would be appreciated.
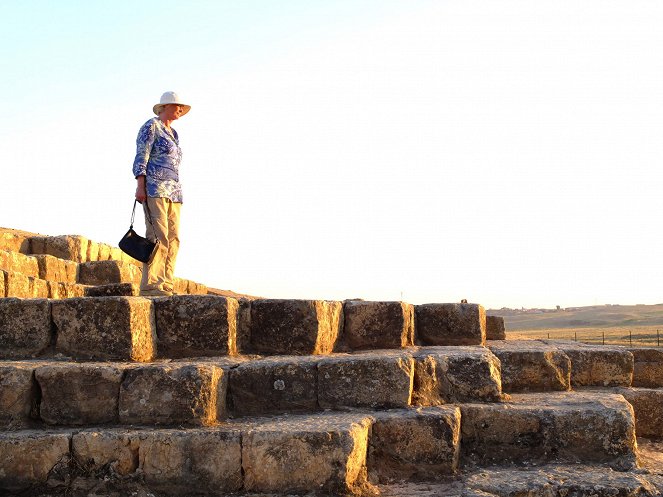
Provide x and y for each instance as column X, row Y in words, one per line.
column 560, row 426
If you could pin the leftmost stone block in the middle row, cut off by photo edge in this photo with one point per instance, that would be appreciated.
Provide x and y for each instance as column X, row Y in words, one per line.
column 18, row 394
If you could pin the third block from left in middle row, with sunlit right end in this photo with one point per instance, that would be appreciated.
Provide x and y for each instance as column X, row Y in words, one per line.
column 173, row 394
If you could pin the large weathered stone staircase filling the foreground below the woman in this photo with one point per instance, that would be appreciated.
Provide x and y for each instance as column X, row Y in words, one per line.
column 212, row 395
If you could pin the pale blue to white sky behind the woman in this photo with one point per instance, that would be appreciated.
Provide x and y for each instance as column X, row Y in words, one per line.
column 507, row 152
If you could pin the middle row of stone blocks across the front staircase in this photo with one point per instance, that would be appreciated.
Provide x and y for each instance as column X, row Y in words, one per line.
column 37, row 392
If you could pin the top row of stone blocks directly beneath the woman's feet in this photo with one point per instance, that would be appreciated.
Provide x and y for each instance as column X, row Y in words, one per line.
column 191, row 326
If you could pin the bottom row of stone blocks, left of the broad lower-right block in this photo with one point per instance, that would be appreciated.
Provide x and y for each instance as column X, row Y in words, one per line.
column 325, row 453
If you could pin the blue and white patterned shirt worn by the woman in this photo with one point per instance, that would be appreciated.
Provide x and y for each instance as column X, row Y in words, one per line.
column 158, row 157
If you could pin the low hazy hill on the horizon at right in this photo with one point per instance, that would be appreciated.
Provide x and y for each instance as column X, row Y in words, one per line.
column 603, row 316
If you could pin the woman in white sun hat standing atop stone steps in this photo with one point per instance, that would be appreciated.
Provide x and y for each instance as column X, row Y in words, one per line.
column 156, row 169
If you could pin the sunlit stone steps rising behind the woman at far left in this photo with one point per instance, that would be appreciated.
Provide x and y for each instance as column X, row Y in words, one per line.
column 66, row 266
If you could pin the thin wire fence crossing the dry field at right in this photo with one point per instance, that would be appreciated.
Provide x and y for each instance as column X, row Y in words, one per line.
column 650, row 338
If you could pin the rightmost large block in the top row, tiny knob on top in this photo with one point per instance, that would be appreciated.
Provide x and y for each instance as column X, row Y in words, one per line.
column 450, row 324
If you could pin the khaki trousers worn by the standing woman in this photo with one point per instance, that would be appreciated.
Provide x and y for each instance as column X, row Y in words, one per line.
column 158, row 275
